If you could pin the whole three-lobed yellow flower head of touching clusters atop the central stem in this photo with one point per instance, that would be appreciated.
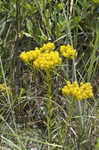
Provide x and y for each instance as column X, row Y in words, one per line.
column 44, row 58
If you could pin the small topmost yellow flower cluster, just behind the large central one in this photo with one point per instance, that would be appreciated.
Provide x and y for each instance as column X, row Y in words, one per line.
column 48, row 47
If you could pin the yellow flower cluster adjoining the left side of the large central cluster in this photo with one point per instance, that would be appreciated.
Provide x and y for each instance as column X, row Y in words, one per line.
column 30, row 55
